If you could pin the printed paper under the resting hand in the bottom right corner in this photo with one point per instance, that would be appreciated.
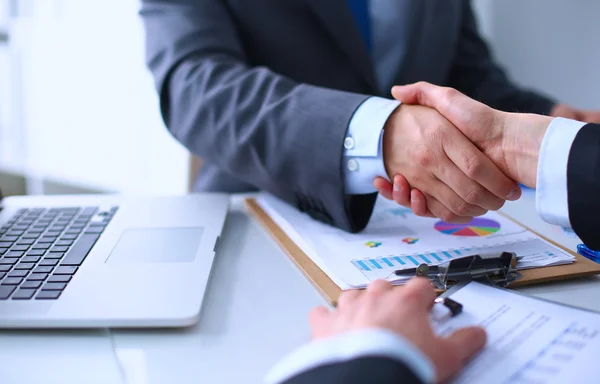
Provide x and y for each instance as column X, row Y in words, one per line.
column 529, row 340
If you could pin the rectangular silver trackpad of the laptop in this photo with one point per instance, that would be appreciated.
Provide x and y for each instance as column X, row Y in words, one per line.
column 157, row 245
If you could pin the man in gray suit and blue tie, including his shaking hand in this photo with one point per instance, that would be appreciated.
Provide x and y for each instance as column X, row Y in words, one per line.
column 287, row 96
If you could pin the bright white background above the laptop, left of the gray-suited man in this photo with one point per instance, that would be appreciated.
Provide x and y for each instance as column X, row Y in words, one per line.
column 89, row 109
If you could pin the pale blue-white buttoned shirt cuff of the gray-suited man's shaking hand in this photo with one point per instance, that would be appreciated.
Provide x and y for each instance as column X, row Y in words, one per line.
column 363, row 153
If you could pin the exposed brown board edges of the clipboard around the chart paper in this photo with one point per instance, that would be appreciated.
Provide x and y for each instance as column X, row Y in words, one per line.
column 330, row 291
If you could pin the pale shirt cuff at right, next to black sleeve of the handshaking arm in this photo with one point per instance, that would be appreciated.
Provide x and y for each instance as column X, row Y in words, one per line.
column 551, row 194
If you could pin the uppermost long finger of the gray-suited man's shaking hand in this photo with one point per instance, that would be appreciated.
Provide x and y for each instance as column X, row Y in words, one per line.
column 478, row 167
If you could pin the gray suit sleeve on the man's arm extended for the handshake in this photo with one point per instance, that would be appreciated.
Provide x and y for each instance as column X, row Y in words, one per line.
column 266, row 129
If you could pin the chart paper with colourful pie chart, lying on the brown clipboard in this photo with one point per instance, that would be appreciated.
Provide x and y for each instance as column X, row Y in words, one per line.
column 396, row 239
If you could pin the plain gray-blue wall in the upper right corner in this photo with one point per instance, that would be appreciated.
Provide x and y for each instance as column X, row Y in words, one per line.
column 551, row 45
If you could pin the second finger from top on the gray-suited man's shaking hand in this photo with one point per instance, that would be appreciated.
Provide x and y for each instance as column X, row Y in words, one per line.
column 468, row 190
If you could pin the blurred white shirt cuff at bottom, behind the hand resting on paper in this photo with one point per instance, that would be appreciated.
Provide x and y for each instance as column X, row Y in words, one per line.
column 348, row 346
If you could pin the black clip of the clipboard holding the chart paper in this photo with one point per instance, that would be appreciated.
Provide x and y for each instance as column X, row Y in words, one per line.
column 498, row 270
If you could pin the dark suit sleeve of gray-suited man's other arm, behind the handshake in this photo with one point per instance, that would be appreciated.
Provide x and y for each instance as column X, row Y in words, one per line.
column 477, row 75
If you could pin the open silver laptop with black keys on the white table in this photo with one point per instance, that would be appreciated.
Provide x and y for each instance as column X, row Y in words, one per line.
column 83, row 261
